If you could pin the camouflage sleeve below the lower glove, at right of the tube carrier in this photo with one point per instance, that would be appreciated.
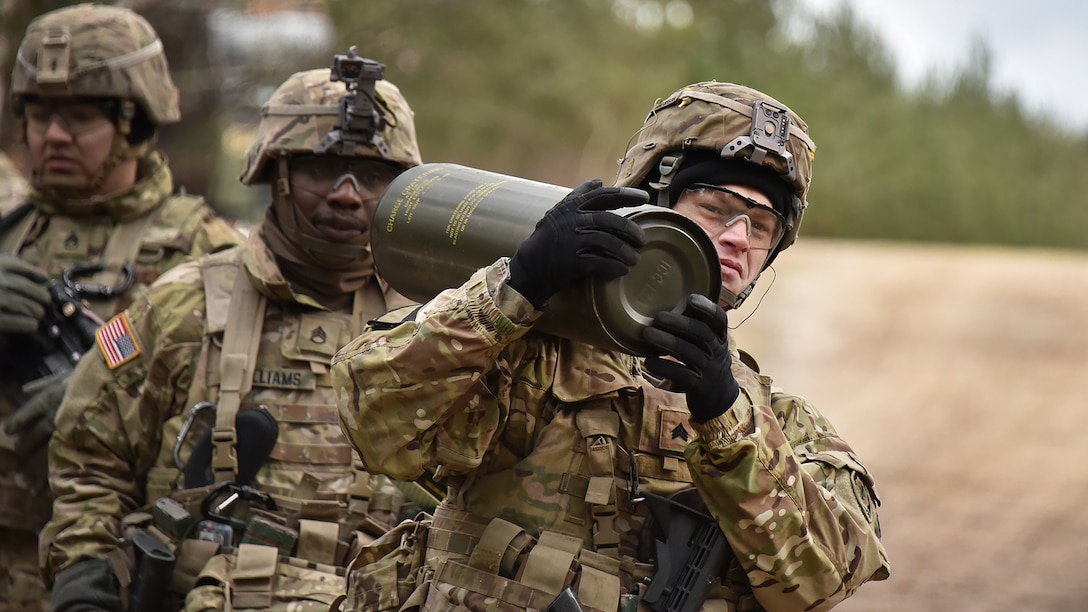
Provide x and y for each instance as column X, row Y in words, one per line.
column 800, row 517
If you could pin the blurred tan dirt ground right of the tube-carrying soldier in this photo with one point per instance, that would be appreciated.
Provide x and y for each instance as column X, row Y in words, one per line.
column 960, row 376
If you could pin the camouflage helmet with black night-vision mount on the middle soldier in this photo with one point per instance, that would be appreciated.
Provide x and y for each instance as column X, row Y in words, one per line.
column 306, row 108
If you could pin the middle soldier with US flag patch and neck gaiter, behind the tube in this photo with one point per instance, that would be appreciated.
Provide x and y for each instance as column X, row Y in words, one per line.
column 212, row 395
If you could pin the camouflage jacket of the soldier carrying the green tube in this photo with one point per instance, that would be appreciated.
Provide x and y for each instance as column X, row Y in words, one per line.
column 549, row 435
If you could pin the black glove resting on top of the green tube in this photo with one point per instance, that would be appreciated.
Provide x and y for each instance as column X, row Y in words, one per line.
column 579, row 238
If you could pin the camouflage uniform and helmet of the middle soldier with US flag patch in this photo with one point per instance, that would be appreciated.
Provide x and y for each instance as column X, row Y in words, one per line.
column 115, row 451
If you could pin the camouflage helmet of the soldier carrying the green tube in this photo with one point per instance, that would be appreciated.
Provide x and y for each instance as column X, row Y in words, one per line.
column 733, row 121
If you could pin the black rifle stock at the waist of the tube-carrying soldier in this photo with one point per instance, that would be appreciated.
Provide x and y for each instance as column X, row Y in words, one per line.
column 688, row 559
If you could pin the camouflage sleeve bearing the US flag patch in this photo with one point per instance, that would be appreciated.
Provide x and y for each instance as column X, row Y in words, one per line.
column 109, row 426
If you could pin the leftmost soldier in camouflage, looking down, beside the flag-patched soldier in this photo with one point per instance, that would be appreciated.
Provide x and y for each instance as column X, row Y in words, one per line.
column 103, row 218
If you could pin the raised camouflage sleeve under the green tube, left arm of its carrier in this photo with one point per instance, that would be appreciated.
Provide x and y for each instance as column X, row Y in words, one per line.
column 423, row 393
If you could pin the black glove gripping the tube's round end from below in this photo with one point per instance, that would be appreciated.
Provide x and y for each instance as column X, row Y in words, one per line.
column 698, row 340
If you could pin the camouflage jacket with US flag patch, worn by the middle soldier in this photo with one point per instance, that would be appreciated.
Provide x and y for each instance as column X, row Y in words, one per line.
column 114, row 451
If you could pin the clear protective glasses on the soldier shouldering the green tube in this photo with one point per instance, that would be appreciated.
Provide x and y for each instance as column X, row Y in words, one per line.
column 719, row 209
